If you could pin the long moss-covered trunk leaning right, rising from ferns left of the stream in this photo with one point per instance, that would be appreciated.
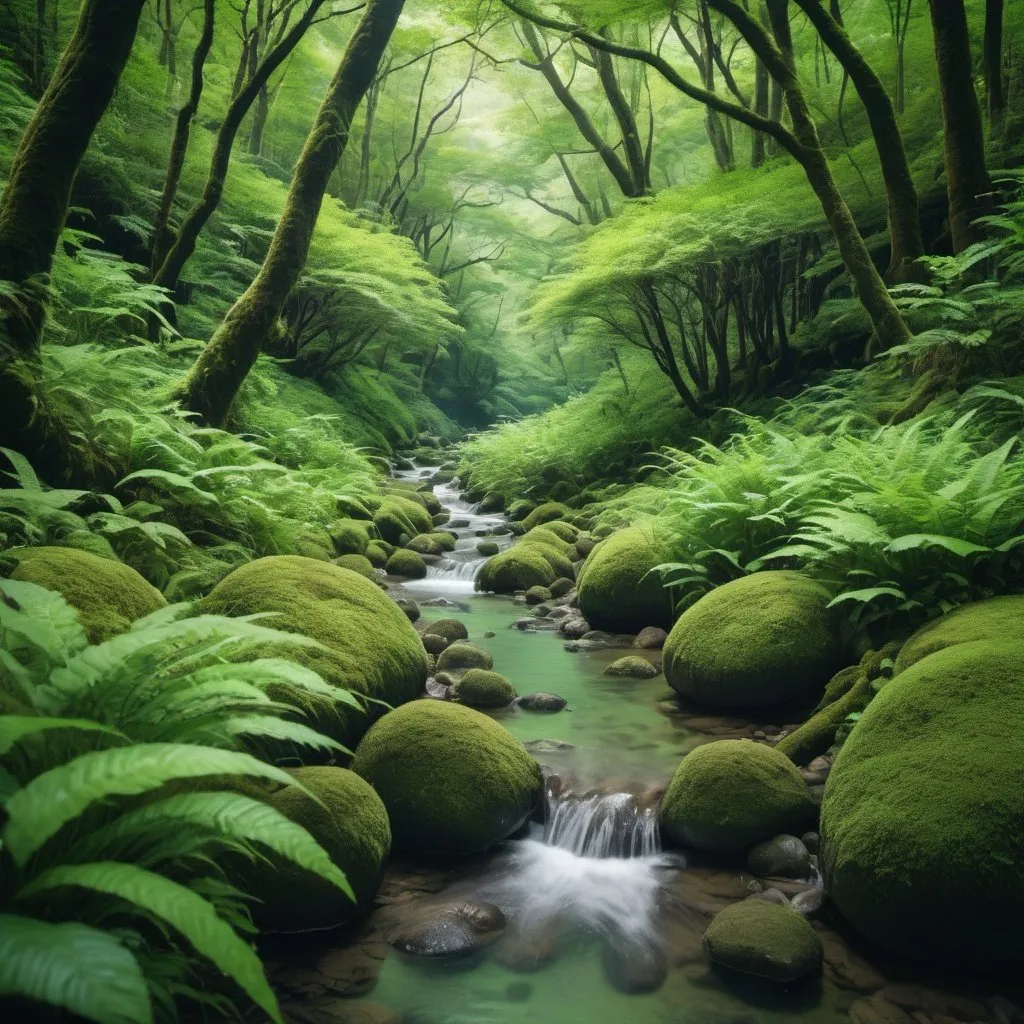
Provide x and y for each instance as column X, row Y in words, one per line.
column 217, row 376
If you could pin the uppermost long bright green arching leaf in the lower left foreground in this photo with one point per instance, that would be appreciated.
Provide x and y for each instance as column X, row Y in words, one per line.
column 38, row 810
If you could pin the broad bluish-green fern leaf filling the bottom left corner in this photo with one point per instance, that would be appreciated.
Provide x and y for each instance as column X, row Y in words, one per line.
column 82, row 970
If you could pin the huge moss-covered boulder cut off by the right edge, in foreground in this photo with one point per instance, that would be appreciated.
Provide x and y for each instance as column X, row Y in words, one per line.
column 923, row 848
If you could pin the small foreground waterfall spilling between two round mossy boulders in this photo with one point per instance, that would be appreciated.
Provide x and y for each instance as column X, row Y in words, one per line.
column 602, row 825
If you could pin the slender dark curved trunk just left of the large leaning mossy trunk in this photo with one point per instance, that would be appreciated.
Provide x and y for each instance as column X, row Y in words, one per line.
column 198, row 218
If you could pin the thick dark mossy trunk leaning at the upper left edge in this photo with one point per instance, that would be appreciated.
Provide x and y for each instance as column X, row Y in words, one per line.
column 35, row 203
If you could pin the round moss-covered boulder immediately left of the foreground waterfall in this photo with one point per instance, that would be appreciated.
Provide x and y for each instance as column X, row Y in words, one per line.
column 453, row 781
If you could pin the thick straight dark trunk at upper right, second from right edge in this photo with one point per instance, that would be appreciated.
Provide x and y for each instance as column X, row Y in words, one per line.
column 967, row 177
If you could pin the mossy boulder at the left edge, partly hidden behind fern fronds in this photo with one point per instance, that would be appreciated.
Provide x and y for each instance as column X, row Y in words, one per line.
column 108, row 595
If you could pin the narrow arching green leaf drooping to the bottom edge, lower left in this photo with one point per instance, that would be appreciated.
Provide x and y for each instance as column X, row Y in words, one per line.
column 185, row 911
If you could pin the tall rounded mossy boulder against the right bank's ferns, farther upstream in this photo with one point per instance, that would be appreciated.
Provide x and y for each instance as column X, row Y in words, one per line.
column 616, row 591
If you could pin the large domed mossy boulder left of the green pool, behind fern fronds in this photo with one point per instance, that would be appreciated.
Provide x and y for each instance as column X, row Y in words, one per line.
column 368, row 644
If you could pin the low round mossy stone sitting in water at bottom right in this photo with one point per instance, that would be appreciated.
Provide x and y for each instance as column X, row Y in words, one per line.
column 764, row 940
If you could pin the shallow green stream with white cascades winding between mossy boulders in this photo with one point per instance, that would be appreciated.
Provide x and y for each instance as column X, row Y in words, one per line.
column 604, row 926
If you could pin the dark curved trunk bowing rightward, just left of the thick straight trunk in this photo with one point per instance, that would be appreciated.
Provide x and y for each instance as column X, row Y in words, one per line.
column 905, row 221
